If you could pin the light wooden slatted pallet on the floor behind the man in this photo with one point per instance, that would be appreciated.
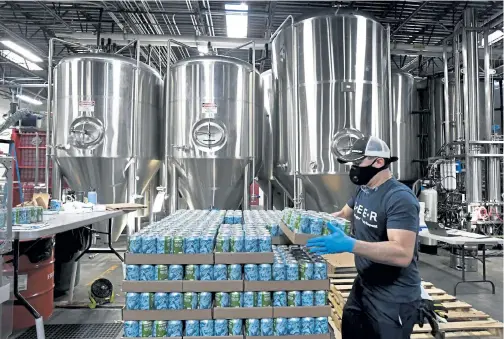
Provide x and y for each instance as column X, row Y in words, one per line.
column 463, row 320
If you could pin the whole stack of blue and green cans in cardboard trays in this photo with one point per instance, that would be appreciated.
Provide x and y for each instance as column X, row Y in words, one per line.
column 215, row 273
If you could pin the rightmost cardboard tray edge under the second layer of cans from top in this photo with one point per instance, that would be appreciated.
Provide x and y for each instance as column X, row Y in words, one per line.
column 297, row 285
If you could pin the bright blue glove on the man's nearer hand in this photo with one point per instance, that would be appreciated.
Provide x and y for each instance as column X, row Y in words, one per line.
column 336, row 242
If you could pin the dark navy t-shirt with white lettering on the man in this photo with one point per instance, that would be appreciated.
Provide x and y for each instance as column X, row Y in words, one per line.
column 391, row 205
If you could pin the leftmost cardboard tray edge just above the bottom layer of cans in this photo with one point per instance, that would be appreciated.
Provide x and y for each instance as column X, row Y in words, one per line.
column 167, row 315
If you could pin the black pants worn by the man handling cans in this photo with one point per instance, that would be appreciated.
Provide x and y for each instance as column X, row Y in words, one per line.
column 365, row 316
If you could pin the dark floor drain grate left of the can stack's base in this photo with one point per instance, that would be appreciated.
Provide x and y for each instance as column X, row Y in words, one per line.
column 76, row 331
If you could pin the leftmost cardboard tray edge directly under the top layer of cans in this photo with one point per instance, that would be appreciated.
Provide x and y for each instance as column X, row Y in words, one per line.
column 168, row 259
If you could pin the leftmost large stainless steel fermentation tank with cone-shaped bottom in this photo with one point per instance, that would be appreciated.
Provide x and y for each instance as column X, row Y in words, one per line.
column 100, row 141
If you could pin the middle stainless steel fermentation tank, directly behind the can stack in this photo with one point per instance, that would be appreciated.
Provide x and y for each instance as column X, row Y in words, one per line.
column 213, row 123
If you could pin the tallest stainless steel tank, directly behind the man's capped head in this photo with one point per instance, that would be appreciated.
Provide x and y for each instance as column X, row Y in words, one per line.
column 342, row 78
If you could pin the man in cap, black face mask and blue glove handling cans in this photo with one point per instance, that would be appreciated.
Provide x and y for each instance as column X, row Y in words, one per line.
column 385, row 296
